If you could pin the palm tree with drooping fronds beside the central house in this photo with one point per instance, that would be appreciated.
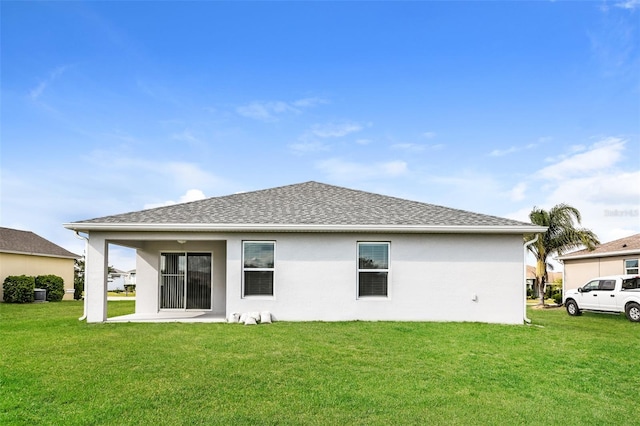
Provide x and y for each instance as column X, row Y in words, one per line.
column 561, row 235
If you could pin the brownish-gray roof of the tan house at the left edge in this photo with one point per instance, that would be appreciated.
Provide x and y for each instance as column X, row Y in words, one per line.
column 26, row 242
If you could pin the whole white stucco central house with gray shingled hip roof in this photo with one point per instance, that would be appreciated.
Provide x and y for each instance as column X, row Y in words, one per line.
column 313, row 251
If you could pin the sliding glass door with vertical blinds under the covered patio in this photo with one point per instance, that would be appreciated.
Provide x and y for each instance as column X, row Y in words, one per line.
column 185, row 281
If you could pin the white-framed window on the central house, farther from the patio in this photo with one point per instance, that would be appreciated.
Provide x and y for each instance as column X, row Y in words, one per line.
column 373, row 269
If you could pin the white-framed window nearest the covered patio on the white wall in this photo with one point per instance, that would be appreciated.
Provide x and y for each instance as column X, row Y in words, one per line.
column 258, row 266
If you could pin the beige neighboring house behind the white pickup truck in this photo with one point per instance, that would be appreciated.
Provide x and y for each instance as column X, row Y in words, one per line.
column 612, row 258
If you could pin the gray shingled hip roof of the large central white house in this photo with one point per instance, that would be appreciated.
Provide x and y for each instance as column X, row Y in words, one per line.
column 305, row 204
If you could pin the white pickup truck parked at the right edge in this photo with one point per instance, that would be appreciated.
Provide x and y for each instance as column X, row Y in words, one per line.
column 616, row 293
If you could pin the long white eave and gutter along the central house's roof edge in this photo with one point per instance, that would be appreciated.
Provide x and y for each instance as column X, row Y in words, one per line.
column 224, row 227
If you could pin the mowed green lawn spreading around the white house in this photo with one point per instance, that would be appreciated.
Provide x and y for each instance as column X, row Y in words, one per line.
column 56, row 370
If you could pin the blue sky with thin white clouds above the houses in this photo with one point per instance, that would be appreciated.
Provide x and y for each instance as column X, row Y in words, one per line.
column 494, row 107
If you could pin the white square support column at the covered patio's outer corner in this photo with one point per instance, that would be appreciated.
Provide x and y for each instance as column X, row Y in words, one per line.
column 96, row 278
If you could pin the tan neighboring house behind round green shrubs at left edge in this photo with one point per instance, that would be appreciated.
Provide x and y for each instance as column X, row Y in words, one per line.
column 25, row 253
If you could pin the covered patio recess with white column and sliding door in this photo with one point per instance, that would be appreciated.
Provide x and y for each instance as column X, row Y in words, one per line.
column 180, row 277
